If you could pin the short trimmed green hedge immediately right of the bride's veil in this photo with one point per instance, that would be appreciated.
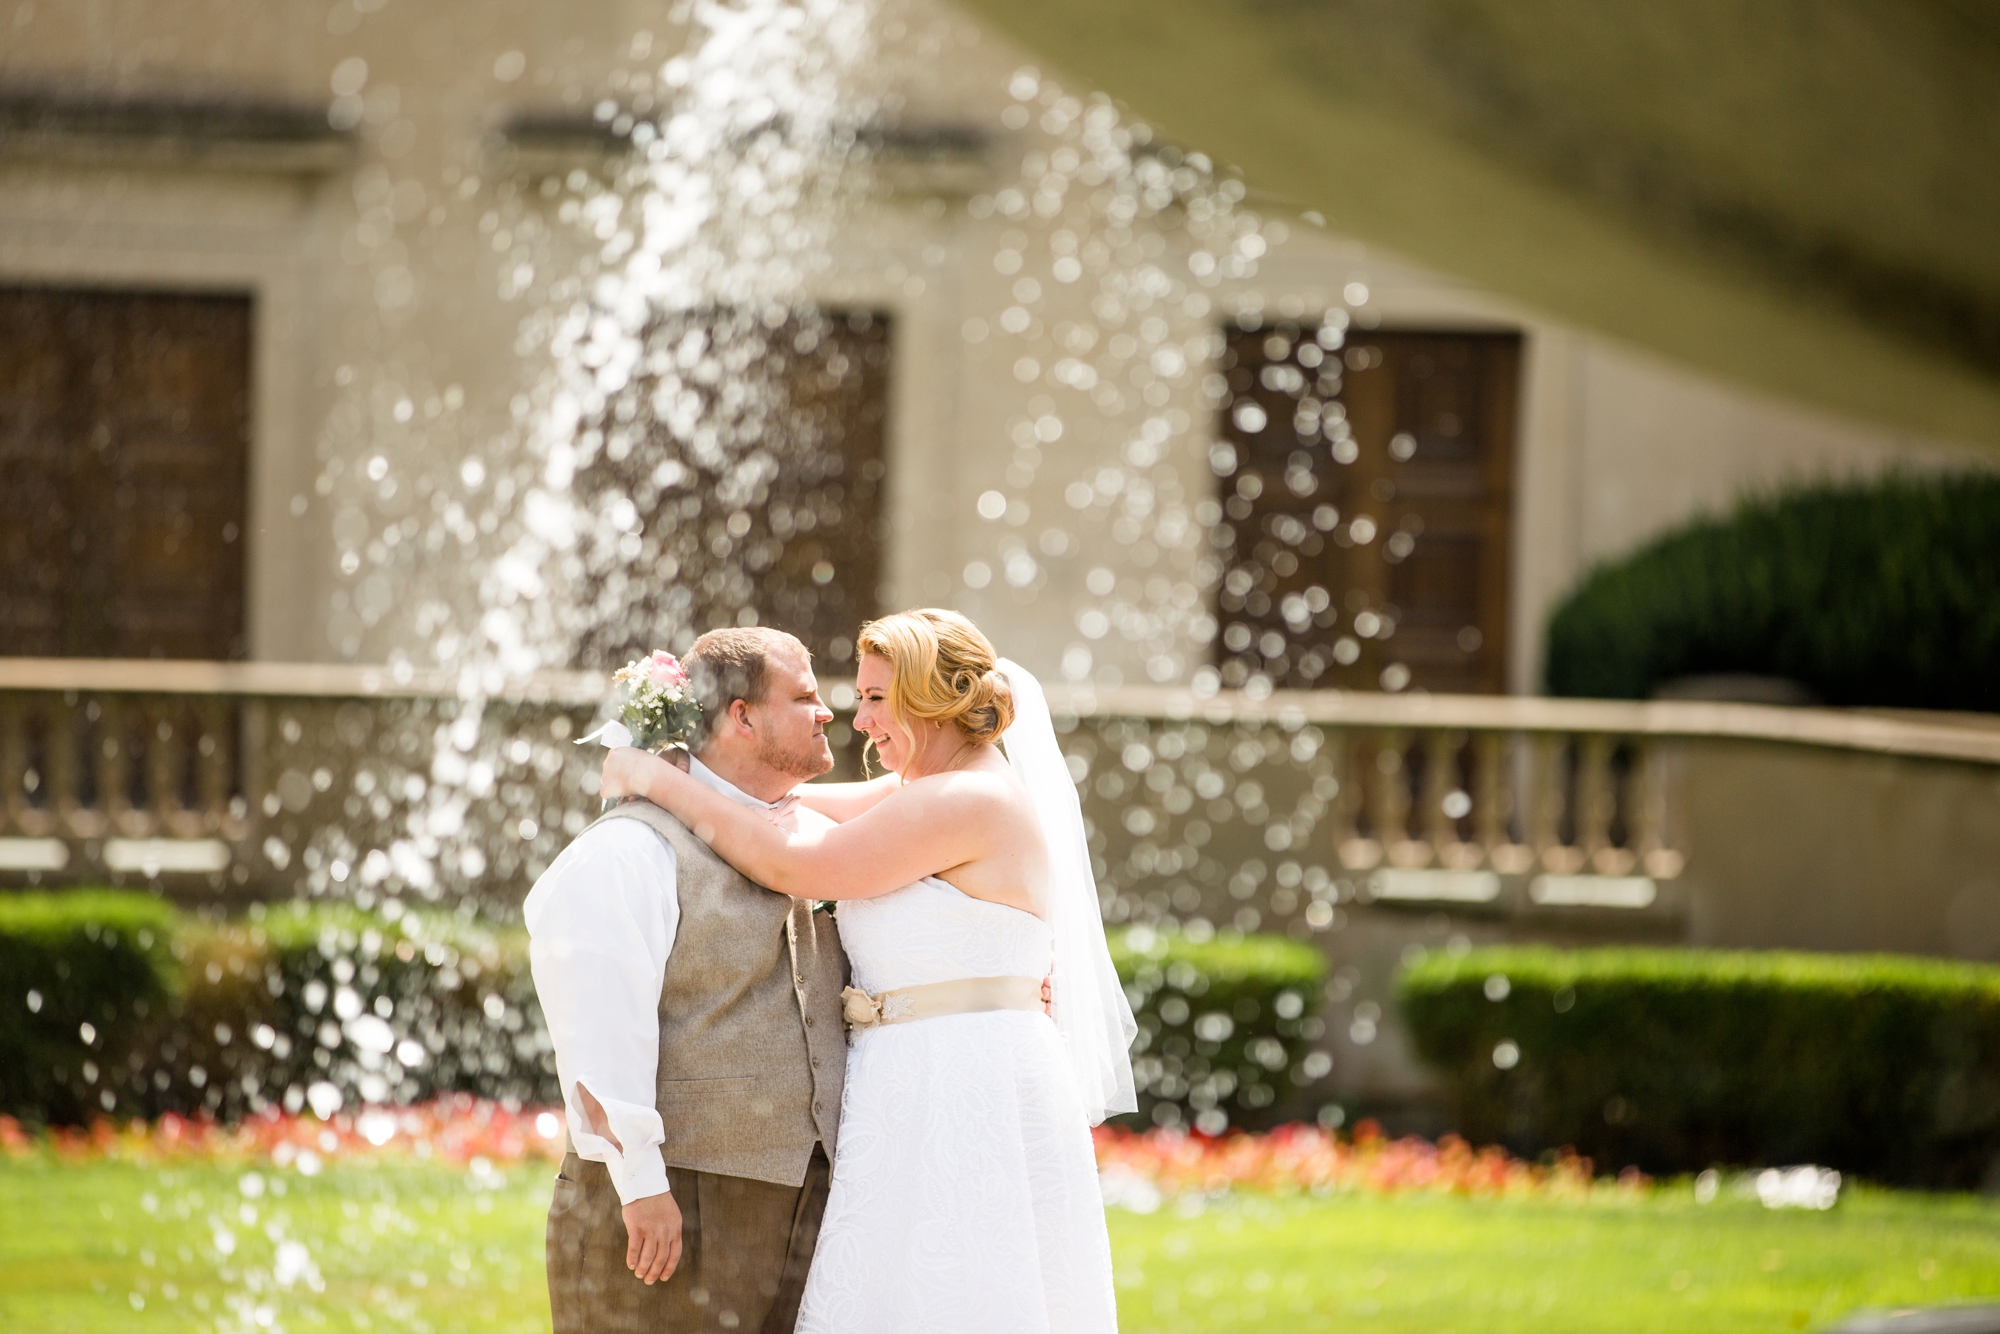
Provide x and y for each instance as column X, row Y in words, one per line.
column 1225, row 1027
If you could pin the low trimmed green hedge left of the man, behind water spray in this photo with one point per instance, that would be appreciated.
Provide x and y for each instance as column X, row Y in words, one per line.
column 191, row 1015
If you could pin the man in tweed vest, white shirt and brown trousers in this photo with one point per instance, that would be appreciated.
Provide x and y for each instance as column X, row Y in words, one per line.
column 699, row 1035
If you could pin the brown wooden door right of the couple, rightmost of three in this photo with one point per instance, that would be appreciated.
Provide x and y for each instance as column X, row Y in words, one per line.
column 1369, row 499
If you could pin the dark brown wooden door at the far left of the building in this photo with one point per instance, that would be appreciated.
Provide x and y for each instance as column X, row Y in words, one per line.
column 125, row 443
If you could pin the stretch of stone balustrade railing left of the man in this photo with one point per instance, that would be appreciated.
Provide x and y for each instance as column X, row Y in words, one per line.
column 249, row 773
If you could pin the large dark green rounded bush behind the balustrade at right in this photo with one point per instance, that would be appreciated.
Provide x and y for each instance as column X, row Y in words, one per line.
column 1865, row 593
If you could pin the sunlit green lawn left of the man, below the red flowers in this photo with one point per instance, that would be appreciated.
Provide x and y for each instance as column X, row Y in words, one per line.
column 391, row 1247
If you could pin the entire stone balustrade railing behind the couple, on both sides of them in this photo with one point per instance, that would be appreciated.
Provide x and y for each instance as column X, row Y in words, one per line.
column 255, row 775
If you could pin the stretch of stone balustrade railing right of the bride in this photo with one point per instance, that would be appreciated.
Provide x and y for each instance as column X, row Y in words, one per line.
column 1453, row 799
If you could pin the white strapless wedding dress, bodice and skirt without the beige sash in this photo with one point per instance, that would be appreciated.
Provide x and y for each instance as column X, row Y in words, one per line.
column 965, row 1195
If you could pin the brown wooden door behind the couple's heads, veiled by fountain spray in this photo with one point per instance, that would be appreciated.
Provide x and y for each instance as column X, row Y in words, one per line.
column 765, row 509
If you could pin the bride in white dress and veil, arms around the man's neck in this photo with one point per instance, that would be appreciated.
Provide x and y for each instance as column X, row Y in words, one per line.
column 965, row 1191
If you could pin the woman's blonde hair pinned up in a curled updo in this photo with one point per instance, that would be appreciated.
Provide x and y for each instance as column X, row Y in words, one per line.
column 941, row 671
